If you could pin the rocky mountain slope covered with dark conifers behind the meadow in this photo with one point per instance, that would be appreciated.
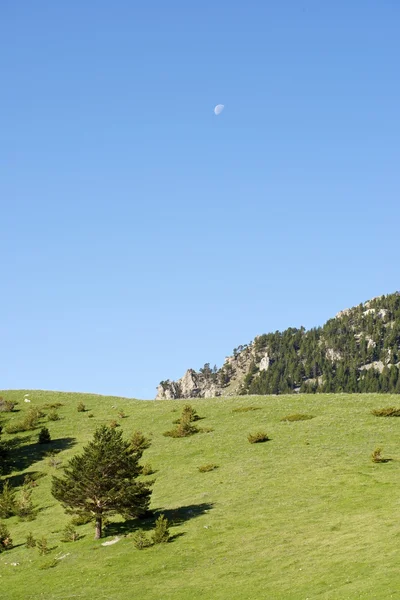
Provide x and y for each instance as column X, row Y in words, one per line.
column 356, row 351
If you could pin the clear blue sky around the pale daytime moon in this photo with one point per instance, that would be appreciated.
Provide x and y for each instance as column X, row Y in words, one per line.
column 141, row 234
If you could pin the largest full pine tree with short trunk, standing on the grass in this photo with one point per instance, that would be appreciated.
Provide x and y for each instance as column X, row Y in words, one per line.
column 102, row 480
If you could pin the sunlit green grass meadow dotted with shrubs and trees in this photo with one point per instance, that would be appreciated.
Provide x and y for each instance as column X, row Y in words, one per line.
column 306, row 515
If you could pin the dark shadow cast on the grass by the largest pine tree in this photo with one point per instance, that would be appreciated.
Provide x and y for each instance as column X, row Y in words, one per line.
column 176, row 516
